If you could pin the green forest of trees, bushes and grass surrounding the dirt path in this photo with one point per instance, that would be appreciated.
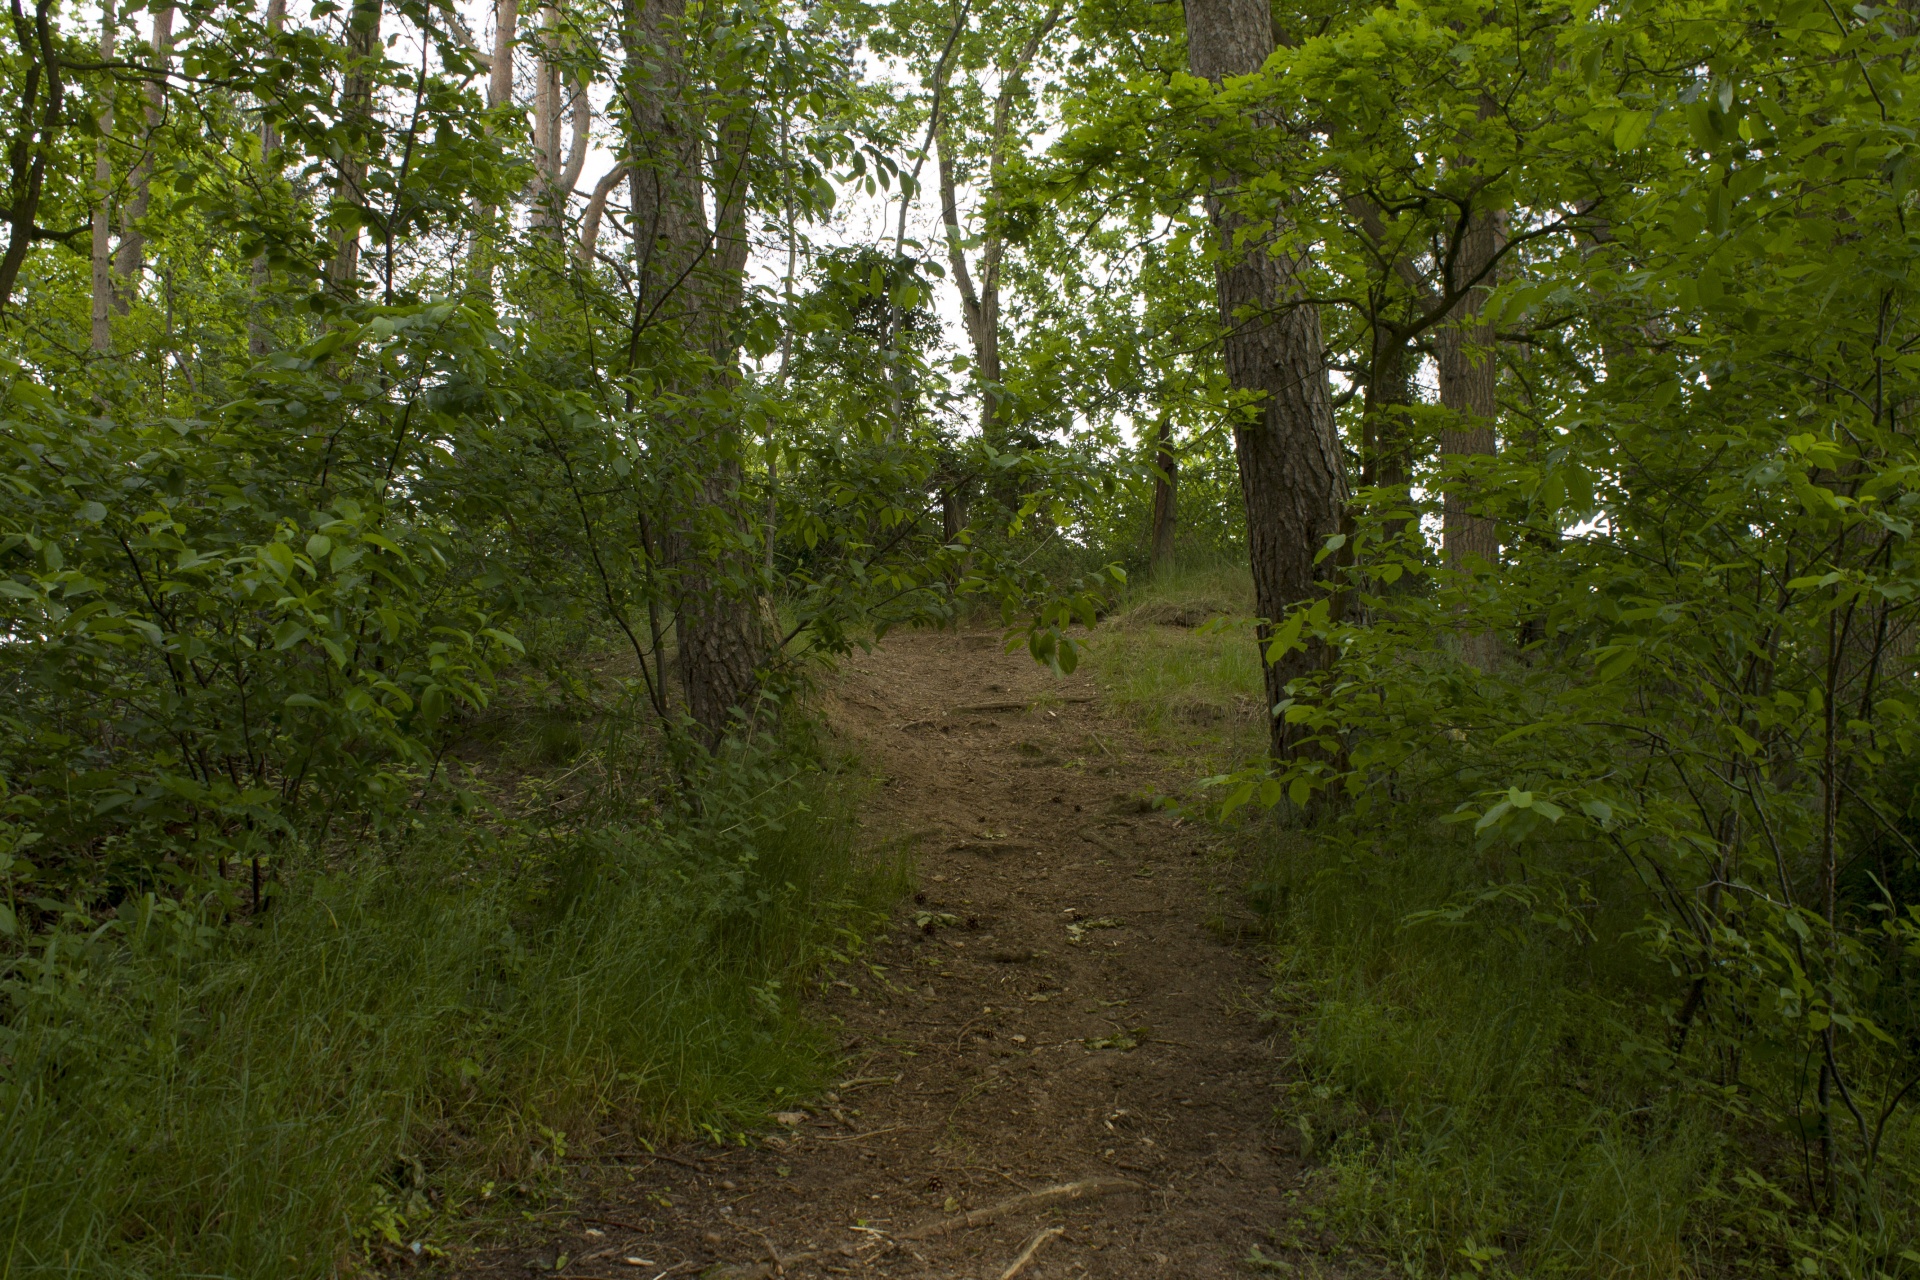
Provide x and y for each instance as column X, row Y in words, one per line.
column 452, row 454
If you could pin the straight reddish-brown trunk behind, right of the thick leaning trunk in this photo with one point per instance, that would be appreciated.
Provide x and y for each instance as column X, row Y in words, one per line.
column 1468, row 391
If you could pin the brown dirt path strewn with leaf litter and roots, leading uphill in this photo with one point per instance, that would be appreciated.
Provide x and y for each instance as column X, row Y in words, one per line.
column 1051, row 1012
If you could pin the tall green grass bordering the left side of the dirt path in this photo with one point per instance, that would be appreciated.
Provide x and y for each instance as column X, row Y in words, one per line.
column 276, row 1099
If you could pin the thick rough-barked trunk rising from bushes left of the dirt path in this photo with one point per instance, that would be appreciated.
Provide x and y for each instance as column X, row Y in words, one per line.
column 690, row 281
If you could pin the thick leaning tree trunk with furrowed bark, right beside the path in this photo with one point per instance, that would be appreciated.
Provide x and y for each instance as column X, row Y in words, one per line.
column 1293, row 473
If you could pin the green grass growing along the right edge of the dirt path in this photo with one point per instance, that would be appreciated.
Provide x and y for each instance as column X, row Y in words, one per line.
column 1481, row 1097
